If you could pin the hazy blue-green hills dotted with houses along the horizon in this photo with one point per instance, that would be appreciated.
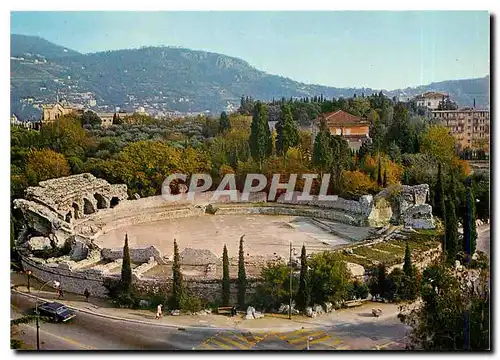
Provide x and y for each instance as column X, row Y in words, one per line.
column 163, row 78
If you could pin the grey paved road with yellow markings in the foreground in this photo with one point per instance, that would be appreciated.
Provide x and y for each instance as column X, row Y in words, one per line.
column 91, row 332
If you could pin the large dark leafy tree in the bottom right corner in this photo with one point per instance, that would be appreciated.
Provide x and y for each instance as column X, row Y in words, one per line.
column 453, row 316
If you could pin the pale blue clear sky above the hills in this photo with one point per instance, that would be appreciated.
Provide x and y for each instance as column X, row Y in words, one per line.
column 381, row 50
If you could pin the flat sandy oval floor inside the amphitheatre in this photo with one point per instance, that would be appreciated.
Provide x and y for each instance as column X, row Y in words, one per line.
column 264, row 235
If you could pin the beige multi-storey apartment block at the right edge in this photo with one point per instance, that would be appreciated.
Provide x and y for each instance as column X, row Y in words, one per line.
column 470, row 127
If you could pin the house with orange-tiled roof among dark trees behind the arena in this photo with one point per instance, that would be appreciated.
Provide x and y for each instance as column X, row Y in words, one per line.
column 352, row 128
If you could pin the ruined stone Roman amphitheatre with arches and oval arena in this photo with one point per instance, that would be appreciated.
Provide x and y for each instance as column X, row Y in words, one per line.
column 74, row 230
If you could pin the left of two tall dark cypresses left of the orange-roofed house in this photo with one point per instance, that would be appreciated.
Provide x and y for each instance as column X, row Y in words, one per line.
column 260, row 140
